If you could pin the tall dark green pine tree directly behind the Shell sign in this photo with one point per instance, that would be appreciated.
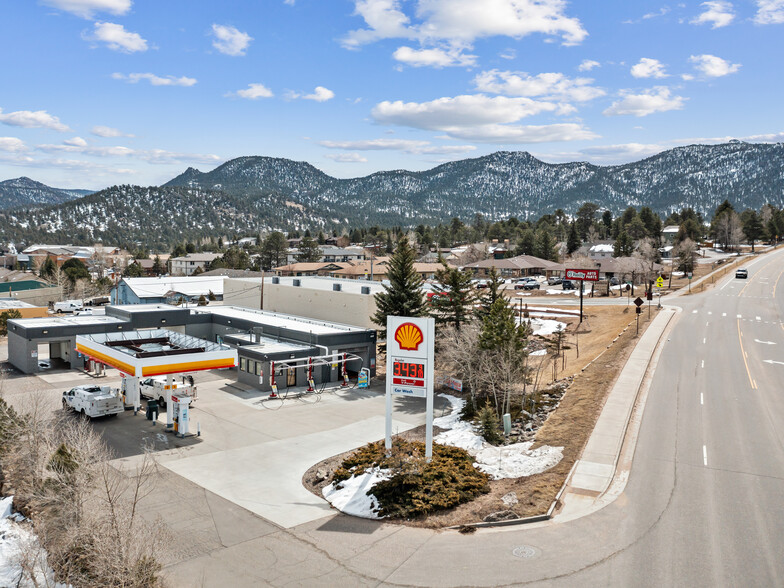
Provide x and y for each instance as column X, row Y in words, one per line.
column 403, row 296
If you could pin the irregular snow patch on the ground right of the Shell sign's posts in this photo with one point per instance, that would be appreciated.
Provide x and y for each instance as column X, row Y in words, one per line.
column 508, row 461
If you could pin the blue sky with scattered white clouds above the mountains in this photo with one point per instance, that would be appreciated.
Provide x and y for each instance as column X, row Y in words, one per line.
column 95, row 93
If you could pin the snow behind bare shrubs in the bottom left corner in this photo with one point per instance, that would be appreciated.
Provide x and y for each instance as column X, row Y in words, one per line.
column 16, row 542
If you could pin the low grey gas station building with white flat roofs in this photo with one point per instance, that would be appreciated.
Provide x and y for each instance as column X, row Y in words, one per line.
column 298, row 348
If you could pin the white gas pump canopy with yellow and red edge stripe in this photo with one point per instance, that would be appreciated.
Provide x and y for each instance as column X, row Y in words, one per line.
column 155, row 352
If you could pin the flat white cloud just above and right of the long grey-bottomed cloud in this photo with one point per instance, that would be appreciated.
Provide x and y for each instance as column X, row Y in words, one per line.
column 550, row 86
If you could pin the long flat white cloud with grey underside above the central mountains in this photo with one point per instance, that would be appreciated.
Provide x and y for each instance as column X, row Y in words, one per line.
column 461, row 111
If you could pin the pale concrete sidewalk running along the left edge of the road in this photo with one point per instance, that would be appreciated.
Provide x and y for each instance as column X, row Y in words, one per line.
column 589, row 485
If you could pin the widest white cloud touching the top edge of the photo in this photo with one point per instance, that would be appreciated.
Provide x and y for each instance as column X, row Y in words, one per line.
column 461, row 22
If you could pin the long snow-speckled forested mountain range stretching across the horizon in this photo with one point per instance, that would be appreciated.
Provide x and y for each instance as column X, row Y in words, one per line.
column 248, row 195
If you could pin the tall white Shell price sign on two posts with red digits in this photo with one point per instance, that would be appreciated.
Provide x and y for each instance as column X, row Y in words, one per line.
column 410, row 368
